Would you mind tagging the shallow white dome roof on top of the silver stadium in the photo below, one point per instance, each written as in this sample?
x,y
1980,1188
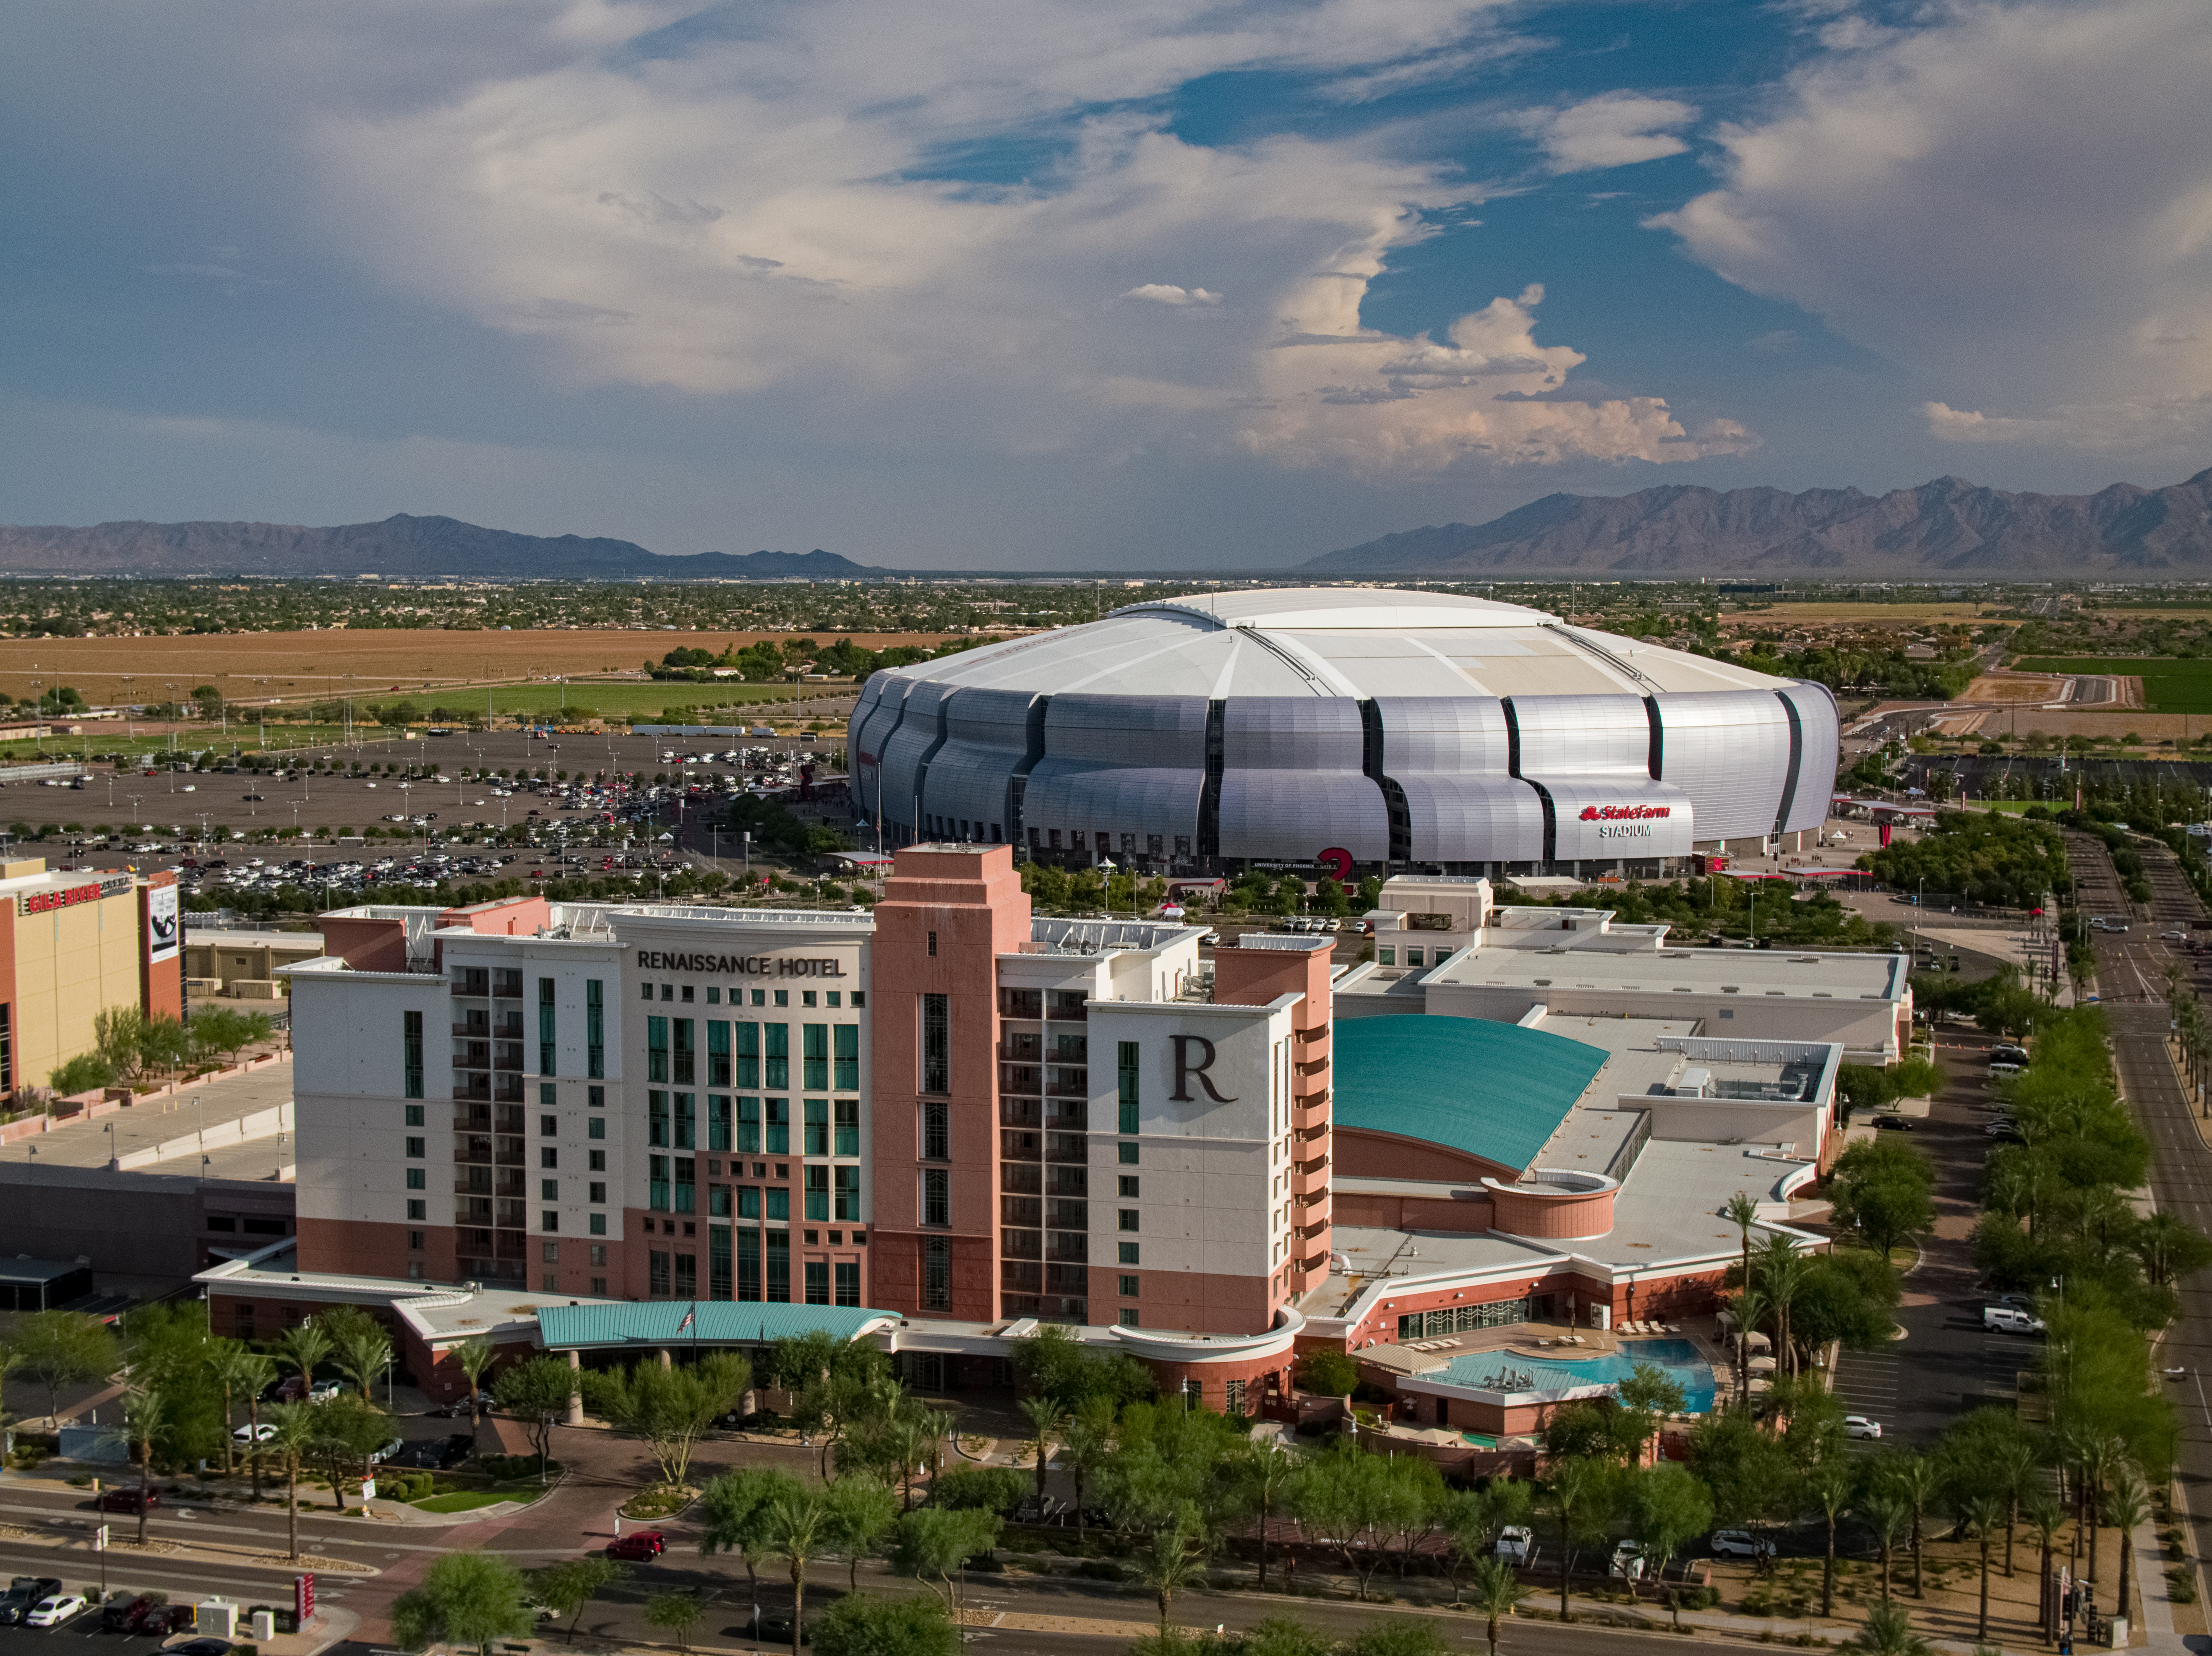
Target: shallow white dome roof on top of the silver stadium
x,y
1333,642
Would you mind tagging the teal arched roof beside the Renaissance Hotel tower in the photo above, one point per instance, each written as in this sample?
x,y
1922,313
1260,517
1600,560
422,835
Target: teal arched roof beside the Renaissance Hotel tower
x,y
1492,1091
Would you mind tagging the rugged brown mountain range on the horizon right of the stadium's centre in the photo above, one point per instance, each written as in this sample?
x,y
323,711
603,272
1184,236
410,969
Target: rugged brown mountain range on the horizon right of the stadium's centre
x,y
1945,525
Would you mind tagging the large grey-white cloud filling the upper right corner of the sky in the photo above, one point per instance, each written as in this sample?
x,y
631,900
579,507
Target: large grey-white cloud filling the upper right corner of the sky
x,y
2010,200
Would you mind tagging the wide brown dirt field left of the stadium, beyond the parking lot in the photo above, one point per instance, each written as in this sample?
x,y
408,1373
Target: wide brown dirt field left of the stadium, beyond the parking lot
x,y
251,667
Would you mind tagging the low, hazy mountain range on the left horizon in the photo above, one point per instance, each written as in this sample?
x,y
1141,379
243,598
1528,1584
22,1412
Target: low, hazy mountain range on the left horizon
x,y
395,547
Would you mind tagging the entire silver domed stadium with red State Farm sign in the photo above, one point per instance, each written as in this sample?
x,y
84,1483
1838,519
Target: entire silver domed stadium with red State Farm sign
x,y
1357,726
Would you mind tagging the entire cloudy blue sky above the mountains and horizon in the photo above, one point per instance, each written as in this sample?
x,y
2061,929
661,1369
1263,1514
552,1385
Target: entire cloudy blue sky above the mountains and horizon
x,y
1061,286
